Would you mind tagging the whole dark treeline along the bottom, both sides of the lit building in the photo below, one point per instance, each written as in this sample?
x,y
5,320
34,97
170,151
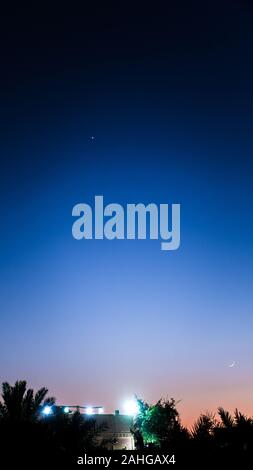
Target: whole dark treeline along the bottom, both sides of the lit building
x,y
27,436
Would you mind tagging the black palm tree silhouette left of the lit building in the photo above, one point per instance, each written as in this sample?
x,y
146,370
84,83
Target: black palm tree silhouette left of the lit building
x,y
57,437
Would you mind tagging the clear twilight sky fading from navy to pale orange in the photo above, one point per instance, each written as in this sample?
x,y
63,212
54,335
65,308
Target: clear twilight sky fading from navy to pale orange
x,y
168,95
